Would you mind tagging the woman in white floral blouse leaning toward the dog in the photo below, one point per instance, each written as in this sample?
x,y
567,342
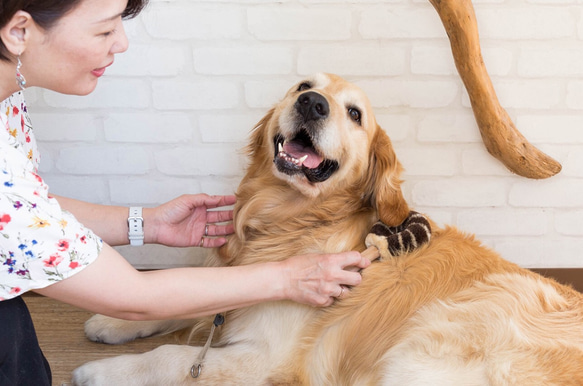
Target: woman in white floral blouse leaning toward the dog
x,y
60,247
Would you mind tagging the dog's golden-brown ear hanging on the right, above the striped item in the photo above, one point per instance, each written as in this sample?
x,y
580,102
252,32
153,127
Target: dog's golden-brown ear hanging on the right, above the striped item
x,y
383,181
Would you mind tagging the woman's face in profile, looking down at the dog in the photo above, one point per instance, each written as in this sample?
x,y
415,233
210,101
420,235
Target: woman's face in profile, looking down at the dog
x,y
71,56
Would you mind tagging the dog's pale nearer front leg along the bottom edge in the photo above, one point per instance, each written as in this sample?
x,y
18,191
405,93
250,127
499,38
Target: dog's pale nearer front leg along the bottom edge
x,y
239,364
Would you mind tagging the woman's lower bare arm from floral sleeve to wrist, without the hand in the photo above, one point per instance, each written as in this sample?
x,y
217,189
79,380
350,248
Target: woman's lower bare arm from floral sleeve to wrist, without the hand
x,y
112,287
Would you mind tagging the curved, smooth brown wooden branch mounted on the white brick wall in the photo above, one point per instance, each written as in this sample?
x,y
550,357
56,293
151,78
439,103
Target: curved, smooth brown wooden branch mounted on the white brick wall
x,y
502,139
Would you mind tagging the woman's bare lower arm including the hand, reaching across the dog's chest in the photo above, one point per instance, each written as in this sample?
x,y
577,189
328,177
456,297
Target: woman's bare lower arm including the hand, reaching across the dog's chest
x,y
112,287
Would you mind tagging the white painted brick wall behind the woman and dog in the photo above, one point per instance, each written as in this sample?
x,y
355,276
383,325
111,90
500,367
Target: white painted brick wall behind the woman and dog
x,y
173,113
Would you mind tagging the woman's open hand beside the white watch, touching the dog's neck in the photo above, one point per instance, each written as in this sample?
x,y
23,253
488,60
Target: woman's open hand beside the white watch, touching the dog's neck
x,y
187,221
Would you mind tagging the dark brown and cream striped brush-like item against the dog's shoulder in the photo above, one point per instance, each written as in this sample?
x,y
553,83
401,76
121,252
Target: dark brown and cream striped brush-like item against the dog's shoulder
x,y
414,232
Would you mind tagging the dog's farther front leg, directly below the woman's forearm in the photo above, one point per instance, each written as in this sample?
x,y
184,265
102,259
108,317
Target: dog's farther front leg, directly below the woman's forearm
x,y
104,329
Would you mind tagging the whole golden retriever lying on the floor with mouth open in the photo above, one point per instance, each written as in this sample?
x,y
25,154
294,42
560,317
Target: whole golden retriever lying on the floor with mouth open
x,y
450,312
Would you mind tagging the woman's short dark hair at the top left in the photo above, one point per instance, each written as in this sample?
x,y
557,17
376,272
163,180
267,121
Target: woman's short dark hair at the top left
x,y
47,12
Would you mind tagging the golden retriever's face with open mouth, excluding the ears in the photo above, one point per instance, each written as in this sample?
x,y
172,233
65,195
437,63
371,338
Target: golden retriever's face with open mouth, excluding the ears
x,y
321,129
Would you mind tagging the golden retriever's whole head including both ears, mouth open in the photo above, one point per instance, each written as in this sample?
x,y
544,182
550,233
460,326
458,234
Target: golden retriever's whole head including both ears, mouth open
x,y
323,138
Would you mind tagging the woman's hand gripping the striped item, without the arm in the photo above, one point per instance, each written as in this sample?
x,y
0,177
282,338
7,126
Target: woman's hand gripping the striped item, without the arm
x,y
320,279
